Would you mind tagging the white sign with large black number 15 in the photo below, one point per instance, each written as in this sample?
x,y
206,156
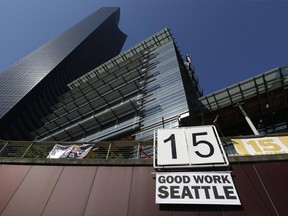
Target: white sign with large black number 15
x,y
193,146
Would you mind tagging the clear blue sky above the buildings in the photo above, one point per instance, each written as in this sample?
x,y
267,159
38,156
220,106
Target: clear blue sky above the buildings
x,y
228,41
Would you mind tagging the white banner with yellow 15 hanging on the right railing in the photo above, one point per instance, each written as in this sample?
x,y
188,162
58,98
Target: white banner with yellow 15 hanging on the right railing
x,y
261,146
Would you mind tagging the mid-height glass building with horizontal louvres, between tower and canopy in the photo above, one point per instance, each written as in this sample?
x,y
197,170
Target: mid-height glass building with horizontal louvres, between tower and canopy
x,y
144,88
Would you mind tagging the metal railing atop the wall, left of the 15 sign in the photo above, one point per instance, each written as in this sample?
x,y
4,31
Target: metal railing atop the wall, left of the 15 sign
x,y
100,150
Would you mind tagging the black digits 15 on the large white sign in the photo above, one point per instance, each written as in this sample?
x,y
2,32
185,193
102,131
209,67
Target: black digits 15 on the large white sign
x,y
194,142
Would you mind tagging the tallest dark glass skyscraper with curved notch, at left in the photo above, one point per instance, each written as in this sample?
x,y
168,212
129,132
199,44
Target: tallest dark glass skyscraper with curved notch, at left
x,y
32,85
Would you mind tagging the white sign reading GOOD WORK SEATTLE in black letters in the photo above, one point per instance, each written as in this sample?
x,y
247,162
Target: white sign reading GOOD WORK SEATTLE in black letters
x,y
196,188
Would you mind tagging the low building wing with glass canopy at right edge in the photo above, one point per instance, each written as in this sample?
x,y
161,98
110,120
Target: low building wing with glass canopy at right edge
x,y
263,97
